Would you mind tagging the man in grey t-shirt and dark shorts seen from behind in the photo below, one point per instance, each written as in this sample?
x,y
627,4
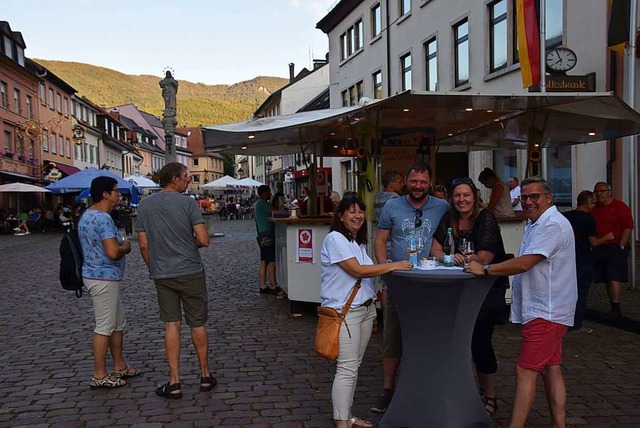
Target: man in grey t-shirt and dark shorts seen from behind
x,y
170,231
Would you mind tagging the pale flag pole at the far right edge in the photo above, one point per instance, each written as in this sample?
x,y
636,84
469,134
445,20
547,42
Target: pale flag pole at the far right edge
x,y
633,167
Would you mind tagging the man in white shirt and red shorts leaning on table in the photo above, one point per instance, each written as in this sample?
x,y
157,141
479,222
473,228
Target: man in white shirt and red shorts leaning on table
x,y
544,299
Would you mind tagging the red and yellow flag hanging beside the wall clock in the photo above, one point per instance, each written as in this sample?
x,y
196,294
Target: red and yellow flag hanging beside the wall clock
x,y
528,42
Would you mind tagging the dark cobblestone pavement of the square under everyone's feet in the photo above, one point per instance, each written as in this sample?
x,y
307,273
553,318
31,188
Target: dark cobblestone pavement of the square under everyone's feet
x,y
268,373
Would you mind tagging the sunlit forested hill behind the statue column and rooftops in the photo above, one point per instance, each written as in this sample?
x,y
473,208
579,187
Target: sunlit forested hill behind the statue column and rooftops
x,y
198,104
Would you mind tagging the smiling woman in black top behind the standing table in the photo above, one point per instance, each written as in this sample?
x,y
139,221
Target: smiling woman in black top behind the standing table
x,y
468,220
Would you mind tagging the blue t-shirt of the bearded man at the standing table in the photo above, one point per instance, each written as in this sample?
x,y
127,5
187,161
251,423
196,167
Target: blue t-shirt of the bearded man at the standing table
x,y
399,218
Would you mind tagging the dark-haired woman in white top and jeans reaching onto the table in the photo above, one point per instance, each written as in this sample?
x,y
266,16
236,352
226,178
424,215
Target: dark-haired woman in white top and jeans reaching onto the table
x,y
344,261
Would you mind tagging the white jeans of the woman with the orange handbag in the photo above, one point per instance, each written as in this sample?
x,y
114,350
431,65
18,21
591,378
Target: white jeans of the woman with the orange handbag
x,y
360,323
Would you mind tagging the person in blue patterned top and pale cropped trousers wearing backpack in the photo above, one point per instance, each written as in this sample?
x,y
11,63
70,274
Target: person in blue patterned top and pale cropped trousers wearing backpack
x,y
102,271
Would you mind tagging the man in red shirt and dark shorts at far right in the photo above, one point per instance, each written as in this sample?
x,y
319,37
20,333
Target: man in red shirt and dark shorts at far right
x,y
610,259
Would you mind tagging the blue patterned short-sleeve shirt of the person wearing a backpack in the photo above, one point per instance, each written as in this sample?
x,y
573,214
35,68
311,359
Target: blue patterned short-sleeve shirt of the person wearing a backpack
x,y
94,227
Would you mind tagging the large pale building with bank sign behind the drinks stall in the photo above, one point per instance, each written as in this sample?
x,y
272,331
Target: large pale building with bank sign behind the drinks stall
x,y
461,45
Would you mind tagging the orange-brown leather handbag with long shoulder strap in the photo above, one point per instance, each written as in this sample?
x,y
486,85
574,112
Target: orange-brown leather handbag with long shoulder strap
x,y
329,323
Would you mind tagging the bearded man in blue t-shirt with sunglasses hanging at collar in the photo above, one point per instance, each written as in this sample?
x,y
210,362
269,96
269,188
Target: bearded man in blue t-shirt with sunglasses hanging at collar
x,y
414,214
